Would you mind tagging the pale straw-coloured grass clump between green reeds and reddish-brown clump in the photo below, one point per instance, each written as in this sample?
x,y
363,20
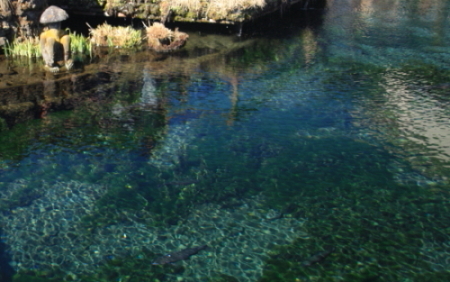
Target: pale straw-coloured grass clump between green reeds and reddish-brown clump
x,y
125,37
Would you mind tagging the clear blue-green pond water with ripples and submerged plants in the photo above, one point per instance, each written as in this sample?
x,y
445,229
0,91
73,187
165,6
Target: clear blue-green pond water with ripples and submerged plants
x,y
314,150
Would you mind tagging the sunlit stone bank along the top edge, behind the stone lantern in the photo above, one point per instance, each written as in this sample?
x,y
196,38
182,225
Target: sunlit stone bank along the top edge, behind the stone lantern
x,y
20,18
